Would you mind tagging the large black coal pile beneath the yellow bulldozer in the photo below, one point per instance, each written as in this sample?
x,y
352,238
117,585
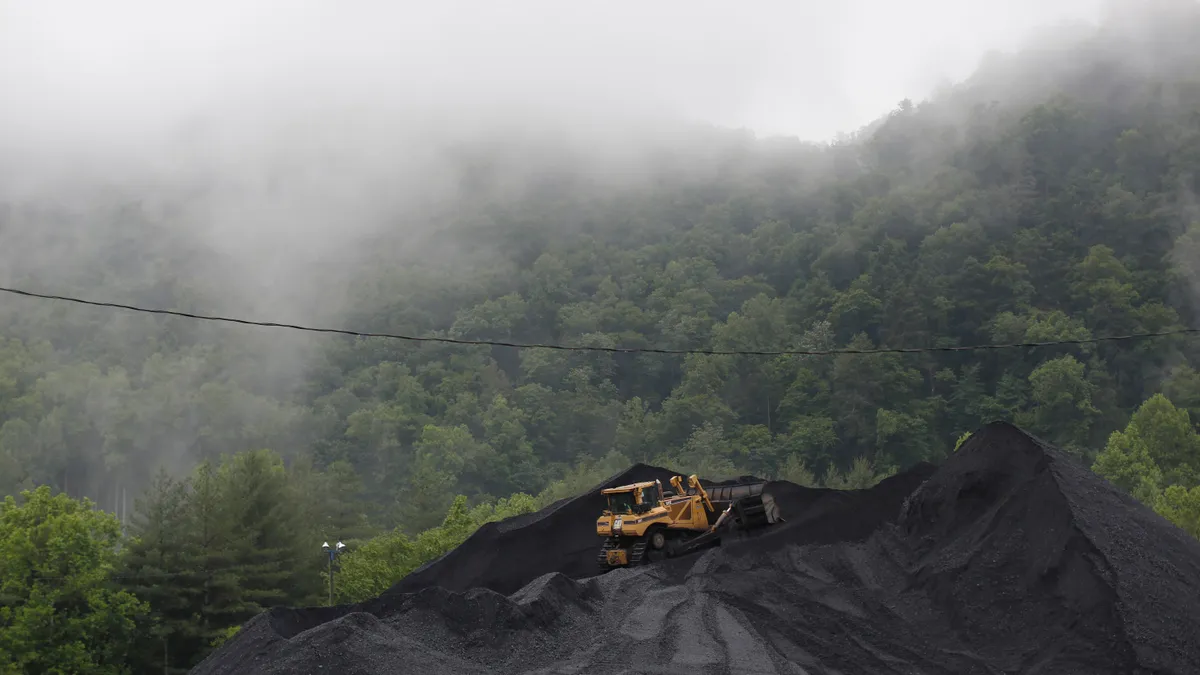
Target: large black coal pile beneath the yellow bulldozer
x,y
1009,559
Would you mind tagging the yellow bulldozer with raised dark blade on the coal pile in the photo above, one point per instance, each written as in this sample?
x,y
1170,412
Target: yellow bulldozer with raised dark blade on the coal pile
x,y
645,524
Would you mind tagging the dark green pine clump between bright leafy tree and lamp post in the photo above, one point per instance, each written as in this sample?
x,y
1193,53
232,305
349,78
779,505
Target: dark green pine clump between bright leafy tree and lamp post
x,y
236,537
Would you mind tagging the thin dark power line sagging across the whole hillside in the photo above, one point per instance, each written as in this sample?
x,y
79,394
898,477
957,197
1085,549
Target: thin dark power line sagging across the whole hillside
x,y
610,350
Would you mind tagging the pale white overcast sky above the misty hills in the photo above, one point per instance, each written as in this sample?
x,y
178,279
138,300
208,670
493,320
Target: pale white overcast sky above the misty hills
x,y
805,68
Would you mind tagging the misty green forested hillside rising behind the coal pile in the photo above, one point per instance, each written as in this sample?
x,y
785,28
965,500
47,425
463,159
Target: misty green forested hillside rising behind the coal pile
x,y
1051,198
